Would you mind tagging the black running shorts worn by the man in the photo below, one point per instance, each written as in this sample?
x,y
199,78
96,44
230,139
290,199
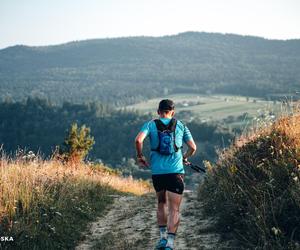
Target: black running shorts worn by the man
x,y
170,182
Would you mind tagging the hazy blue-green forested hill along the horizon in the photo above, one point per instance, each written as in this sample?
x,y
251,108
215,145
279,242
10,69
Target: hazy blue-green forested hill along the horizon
x,y
126,70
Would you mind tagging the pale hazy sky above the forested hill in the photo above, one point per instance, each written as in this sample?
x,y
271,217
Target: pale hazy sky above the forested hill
x,y
43,22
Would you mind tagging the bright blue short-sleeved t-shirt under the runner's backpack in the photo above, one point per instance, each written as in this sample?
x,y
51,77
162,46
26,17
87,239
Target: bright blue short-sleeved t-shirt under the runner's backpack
x,y
166,164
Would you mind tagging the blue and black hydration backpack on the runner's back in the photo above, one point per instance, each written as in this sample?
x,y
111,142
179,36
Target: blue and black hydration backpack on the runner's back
x,y
166,136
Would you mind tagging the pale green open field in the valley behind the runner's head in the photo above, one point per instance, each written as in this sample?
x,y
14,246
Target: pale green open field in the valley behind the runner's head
x,y
214,107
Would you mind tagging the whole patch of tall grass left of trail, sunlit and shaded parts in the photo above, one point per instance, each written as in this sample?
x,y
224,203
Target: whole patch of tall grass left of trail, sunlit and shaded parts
x,y
47,204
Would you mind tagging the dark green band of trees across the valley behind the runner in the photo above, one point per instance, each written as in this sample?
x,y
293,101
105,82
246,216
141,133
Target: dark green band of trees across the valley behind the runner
x,y
38,125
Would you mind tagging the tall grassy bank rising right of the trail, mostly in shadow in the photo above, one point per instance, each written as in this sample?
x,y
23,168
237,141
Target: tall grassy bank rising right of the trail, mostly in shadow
x,y
254,189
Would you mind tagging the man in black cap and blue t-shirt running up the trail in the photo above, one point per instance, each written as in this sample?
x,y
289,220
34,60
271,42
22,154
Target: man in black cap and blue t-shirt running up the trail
x,y
166,160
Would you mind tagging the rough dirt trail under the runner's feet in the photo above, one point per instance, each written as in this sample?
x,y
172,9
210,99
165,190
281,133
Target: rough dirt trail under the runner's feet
x,y
131,224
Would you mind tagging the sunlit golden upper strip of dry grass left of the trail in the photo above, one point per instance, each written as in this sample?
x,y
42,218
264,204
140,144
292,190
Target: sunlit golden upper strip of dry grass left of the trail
x,y
28,181
